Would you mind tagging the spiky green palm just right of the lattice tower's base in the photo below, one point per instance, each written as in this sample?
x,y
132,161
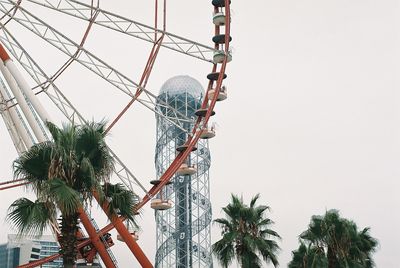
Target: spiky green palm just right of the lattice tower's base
x,y
246,235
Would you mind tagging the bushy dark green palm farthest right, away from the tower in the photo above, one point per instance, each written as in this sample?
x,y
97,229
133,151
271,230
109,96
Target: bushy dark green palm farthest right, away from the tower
x,y
339,240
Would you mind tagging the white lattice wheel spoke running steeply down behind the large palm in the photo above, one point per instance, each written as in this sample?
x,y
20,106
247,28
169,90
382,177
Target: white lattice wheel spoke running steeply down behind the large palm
x,y
46,84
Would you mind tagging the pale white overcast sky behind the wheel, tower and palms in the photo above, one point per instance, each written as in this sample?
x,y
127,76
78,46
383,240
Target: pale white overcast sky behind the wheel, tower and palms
x,y
311,122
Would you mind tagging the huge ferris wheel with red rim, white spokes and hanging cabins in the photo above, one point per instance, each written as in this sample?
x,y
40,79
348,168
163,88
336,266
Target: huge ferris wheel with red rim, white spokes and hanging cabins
x,y
24,115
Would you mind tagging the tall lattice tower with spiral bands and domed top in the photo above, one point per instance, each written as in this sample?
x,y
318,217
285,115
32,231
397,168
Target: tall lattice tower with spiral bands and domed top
x,y
183,231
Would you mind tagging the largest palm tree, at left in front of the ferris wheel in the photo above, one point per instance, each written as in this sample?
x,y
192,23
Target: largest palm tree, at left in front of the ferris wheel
x,y
64,173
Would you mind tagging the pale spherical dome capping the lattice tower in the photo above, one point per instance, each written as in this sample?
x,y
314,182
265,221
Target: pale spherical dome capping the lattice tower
x,y
182,84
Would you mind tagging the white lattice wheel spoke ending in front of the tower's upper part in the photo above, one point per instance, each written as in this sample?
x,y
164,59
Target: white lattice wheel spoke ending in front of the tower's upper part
x,y
92,62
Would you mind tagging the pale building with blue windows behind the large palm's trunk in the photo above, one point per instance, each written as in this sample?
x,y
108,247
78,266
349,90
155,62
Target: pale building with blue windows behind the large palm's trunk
x,y
21,250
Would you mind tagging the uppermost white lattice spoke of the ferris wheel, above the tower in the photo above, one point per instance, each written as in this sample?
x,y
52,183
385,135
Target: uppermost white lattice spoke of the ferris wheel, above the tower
x,y
129,27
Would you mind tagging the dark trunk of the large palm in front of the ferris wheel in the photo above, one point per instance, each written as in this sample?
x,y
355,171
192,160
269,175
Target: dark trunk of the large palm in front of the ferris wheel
x,y
68,241
